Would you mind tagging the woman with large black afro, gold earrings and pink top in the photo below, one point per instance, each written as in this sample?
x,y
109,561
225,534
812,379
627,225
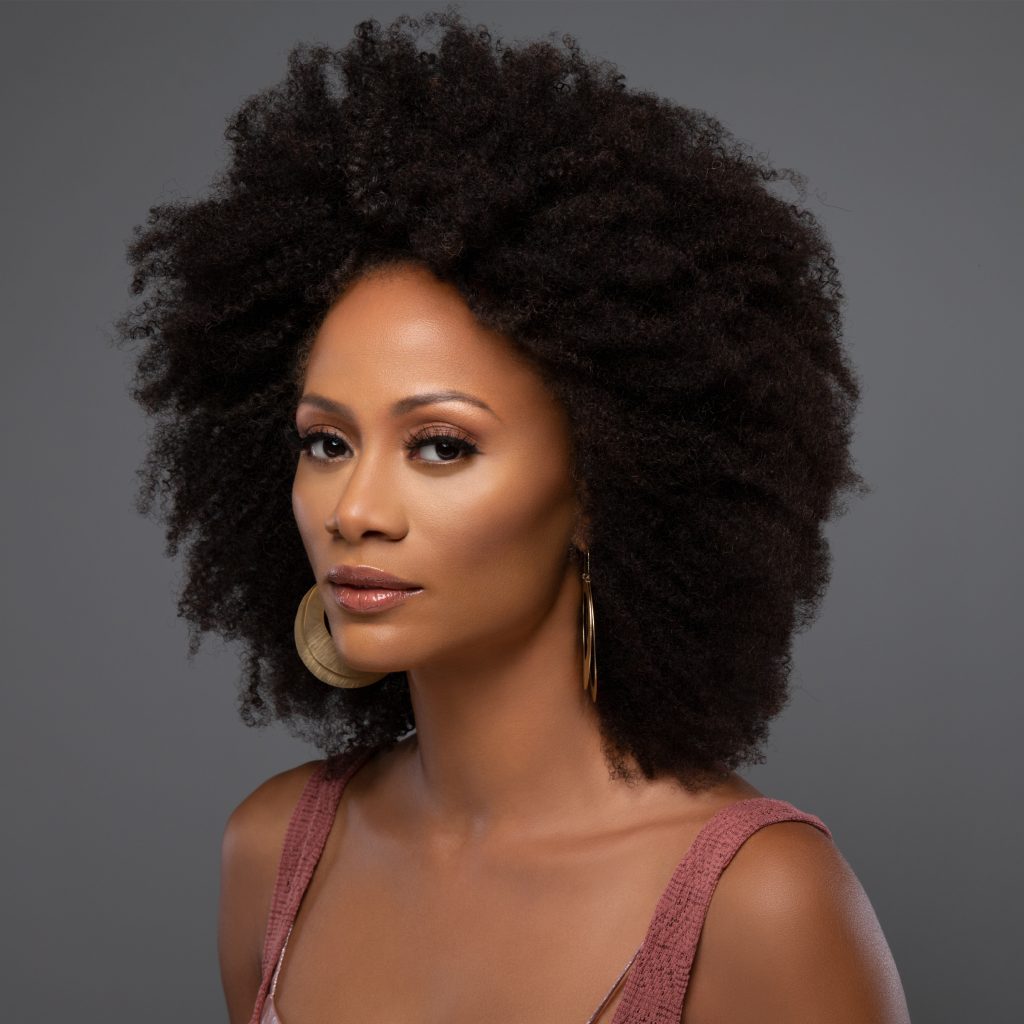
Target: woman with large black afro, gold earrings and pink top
x,y
553,379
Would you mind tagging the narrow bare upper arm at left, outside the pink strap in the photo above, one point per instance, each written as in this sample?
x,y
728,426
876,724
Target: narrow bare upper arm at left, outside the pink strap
x,y
250,855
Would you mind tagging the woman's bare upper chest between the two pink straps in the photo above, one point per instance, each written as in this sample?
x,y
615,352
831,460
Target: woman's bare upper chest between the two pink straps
x,y
540,940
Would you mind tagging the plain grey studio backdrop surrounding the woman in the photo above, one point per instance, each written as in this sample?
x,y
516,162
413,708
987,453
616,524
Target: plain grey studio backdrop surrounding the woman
x,y
122,761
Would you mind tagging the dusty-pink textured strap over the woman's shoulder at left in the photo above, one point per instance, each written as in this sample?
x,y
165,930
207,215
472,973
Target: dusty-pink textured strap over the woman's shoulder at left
x,y
305,841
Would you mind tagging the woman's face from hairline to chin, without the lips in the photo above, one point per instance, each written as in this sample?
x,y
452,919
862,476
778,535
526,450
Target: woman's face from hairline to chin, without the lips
x,y
487,533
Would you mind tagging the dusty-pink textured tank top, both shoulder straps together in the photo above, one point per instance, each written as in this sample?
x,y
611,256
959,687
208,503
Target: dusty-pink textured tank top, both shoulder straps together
x,y
657,987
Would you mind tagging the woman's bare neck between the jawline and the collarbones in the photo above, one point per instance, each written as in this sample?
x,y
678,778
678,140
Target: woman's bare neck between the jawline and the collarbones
x,y
507,741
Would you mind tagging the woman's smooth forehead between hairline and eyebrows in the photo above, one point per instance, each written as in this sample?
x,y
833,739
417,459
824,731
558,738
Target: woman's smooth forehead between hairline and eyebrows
x,y
402,331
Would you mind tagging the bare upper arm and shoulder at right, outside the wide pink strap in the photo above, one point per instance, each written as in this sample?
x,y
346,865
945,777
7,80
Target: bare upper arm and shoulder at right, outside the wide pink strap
x,y
791,937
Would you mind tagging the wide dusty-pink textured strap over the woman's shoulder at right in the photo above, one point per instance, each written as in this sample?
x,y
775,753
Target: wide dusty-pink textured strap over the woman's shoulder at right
x,y
657,985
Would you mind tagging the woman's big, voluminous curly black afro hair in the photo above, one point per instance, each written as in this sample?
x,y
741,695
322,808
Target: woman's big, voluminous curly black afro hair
x,y
687,315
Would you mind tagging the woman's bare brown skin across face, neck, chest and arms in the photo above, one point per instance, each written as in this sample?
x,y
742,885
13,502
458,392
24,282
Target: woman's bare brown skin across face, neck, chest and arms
x,y
488,868
